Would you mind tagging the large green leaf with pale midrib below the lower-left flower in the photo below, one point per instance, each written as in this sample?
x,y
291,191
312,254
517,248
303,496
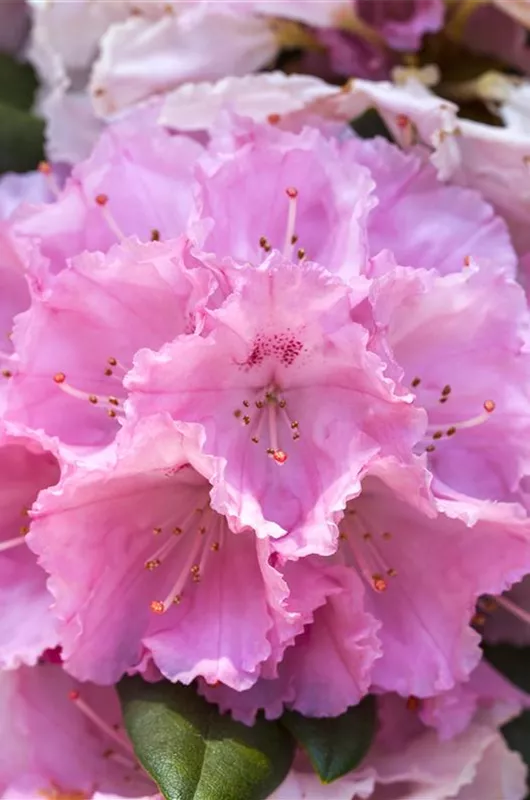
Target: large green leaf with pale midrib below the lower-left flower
x,y
195,753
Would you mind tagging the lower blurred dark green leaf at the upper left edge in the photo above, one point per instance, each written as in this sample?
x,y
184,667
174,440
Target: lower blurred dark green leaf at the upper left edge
x,y
21,140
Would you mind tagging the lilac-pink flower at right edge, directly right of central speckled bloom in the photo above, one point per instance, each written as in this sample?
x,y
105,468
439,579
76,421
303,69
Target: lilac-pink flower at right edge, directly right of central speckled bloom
x,y
467,417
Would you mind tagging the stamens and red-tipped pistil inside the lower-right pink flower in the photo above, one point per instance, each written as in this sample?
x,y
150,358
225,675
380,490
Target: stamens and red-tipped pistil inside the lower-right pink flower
x,y
361,548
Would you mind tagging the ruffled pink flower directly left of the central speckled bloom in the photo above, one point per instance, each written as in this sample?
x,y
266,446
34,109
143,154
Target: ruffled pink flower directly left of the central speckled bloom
x,y
108,306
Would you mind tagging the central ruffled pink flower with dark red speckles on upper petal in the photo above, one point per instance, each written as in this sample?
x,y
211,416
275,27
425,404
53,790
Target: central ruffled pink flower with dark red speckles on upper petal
x,y
283,379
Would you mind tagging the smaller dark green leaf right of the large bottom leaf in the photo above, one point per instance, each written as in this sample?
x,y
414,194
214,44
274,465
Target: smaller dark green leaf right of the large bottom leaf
x,y
335,745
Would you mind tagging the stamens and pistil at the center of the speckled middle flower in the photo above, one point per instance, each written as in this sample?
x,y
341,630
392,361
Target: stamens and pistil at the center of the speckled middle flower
x,y
265,416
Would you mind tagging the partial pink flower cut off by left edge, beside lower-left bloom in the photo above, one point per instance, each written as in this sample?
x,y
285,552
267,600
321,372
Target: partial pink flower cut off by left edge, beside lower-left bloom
x,y
27,626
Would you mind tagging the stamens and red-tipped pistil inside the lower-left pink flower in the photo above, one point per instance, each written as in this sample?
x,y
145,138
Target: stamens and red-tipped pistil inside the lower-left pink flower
x,y
203,530
